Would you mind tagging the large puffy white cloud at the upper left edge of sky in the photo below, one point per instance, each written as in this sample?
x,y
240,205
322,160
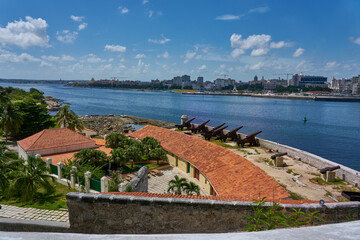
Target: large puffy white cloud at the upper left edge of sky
x,y
31,32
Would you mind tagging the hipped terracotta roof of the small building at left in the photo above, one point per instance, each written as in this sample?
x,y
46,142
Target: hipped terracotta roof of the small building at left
x,y
52,138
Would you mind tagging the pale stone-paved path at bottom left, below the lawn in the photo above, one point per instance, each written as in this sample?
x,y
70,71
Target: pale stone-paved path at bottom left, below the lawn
x,y
7,211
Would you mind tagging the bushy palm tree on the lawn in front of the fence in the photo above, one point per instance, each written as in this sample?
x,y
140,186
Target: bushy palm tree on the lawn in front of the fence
x,y
29,178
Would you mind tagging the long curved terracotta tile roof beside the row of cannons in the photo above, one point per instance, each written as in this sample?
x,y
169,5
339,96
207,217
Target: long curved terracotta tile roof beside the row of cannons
x,y
230,174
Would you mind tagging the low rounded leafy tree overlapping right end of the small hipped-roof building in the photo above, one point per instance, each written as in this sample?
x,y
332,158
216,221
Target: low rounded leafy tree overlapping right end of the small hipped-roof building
x,y
91,156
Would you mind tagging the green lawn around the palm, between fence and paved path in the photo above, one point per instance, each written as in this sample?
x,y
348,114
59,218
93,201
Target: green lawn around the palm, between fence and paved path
x,y
52,202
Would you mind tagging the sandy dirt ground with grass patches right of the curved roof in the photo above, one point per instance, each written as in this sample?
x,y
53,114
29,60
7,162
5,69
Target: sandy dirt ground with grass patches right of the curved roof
x,y
298,178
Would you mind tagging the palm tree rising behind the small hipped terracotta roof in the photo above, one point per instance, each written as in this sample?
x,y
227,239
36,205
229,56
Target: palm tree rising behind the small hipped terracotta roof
x,y
67,118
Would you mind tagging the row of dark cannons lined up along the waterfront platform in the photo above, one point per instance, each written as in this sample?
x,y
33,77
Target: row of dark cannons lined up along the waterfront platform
x,y
217,132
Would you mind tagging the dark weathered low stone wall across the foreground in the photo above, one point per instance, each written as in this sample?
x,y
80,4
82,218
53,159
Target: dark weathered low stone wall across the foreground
x,y
105,213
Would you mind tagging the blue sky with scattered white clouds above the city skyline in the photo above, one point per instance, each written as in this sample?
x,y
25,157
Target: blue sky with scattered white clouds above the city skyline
x,y
149,39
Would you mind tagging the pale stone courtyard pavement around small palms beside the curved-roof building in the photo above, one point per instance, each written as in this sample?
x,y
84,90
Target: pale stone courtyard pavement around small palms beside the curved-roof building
x,y
160,184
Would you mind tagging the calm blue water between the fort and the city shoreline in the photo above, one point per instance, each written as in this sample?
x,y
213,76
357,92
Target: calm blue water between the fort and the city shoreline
x,y
332,130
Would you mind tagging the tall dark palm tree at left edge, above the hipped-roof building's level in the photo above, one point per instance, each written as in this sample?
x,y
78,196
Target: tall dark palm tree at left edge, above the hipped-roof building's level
x,y
10,118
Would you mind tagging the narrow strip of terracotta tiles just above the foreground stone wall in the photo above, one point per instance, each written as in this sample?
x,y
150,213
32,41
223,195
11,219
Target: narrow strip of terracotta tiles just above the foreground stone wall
x,y
217,198
